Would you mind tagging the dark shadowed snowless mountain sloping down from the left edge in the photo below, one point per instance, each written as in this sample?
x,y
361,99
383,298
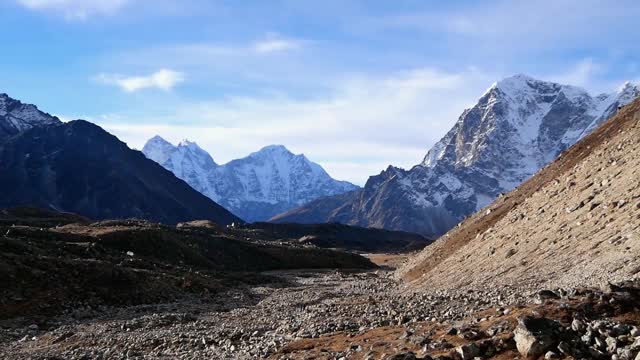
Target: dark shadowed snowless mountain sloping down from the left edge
x,y
79,167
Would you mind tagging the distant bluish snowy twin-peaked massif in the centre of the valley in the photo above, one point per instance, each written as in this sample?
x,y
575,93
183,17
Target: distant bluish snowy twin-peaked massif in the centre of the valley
x,y
257,187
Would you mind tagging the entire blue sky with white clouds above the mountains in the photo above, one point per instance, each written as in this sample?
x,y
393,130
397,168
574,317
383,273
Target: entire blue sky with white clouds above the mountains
x,y
354,85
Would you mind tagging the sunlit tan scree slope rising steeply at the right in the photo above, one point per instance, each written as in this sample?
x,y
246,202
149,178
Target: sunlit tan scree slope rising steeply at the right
x,y
575,223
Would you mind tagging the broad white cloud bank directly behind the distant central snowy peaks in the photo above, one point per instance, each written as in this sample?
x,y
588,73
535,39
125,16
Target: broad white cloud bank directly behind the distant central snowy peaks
x,y
365,124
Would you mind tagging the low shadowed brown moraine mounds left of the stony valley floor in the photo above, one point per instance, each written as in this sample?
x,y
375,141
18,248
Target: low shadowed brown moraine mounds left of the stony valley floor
x,y
52,262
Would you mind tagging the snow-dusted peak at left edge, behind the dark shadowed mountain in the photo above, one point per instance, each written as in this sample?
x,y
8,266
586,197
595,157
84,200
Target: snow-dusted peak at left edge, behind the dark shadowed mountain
x,y
16,117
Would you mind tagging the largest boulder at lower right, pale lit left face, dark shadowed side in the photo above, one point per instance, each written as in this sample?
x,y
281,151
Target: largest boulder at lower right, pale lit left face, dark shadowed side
x,y
534,336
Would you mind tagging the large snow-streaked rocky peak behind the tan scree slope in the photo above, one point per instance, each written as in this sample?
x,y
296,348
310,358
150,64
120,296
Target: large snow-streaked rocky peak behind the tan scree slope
x,y
518,126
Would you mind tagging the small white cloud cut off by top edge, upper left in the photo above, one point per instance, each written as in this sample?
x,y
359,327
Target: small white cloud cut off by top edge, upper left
x,y
76,9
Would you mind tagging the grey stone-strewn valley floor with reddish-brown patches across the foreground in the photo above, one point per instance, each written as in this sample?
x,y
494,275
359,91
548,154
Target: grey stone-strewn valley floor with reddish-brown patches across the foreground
x,y
340,314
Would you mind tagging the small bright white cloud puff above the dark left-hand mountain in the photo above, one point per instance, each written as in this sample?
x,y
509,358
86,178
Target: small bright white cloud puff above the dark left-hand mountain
x,y
163,79
